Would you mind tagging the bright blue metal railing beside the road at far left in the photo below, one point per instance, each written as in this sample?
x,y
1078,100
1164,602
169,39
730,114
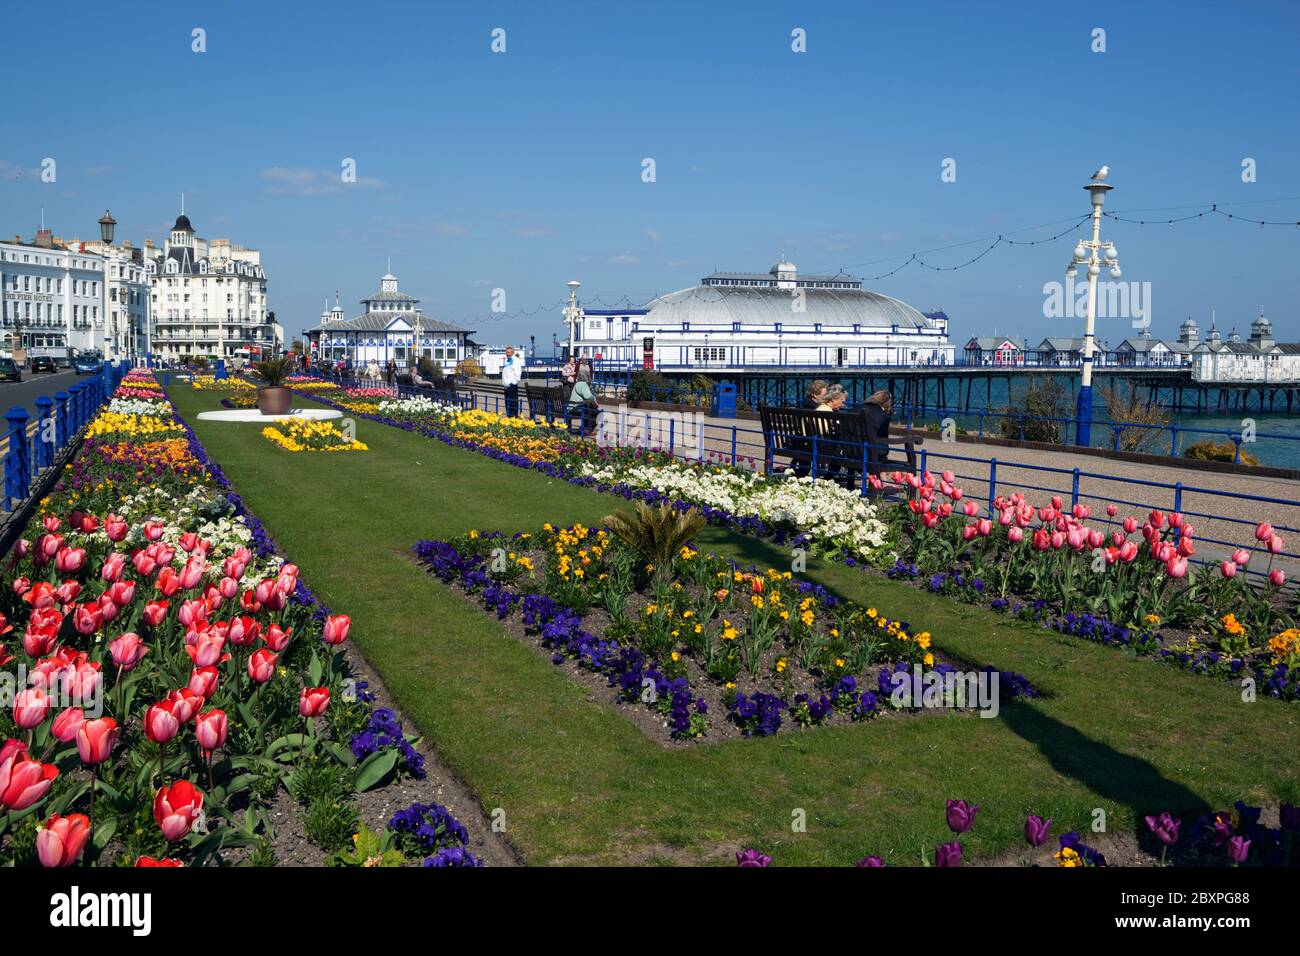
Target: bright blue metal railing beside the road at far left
x,y
33,444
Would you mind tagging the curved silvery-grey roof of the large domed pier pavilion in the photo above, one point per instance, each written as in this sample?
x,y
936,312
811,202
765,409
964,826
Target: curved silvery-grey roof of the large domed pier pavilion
x,y
766,306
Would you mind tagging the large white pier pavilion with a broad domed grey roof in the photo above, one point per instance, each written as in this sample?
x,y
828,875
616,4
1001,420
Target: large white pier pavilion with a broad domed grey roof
x,y
774,319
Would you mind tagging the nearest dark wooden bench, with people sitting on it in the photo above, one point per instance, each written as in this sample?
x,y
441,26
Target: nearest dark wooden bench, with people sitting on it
x,y
833,445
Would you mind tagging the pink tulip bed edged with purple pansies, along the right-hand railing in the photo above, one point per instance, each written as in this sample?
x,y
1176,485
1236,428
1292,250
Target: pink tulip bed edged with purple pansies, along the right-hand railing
x,y
1093,579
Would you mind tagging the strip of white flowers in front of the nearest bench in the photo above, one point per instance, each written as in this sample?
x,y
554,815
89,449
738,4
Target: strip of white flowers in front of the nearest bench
x,y
833,517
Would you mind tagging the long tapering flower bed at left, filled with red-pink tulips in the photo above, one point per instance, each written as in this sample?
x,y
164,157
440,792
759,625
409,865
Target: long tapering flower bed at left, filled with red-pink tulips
x,y
175,678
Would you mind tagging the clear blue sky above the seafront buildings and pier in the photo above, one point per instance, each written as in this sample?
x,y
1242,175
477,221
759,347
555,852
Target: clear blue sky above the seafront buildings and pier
x,y
523,170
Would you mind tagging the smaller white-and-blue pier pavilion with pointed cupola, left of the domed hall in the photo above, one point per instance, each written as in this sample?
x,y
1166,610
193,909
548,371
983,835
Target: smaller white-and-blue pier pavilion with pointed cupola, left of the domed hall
x,y
387,331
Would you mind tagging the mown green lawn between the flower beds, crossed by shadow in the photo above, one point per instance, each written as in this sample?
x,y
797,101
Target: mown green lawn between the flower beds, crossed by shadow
x,y
579,784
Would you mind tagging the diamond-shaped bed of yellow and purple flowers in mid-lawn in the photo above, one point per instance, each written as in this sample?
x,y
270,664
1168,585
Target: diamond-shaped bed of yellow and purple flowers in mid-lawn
x,y
708,648
